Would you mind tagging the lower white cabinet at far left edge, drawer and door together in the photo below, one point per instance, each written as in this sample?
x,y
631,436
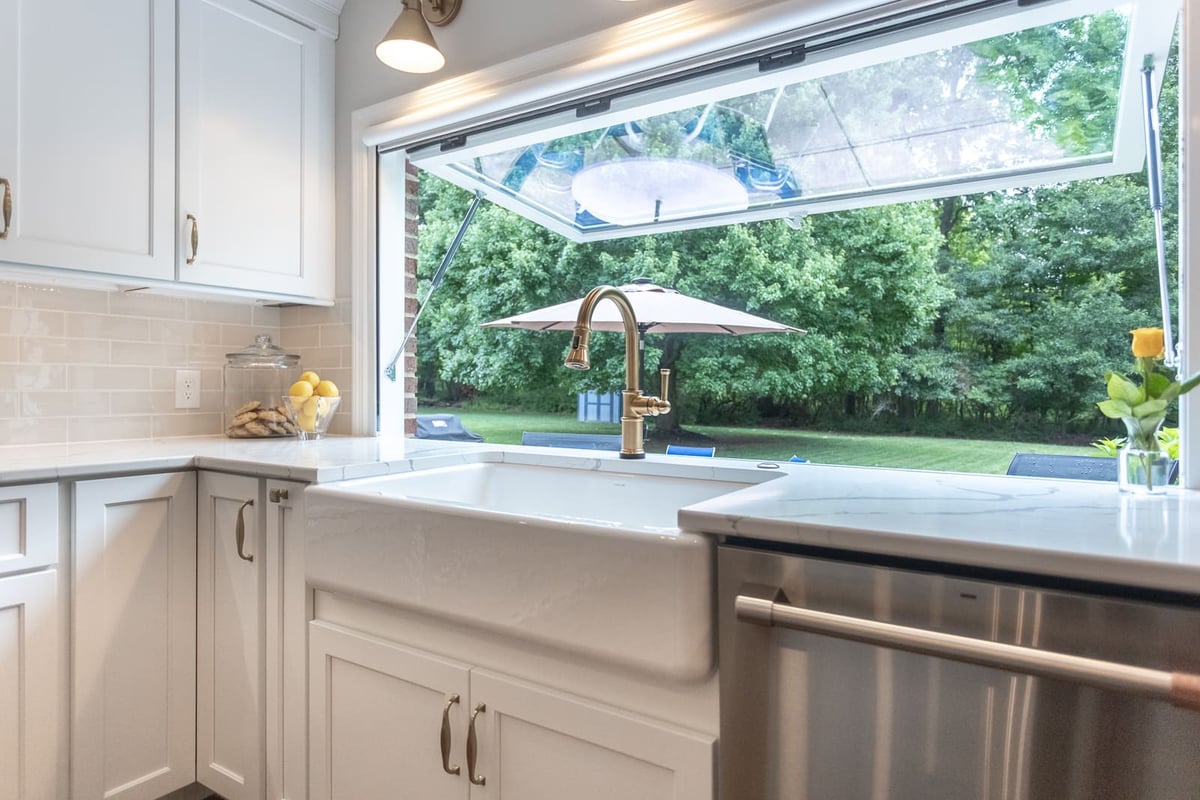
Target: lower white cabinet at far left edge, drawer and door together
x,y
29,642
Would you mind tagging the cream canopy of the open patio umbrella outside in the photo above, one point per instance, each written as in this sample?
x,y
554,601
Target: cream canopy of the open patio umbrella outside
x,y
658,310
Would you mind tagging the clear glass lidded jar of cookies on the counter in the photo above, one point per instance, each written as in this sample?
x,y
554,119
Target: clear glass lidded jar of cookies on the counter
x,y
256,380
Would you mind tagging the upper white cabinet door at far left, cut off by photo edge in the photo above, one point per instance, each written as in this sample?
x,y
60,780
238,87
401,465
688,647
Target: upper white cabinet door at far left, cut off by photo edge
x,y
88,135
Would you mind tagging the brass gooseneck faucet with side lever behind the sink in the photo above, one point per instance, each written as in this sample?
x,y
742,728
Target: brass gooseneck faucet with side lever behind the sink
x,y
634,406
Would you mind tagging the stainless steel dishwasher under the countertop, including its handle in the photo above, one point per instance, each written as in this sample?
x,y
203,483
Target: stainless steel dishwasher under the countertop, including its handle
x,y
811,712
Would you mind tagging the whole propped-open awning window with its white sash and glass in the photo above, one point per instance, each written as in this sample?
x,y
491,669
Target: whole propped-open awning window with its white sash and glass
x,y
981,99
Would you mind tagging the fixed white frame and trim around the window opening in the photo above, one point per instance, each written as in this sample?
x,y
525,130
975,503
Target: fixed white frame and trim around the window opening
x,y
685,34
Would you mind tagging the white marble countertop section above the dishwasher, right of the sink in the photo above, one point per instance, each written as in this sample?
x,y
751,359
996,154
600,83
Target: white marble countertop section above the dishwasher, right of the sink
x,y
1066,530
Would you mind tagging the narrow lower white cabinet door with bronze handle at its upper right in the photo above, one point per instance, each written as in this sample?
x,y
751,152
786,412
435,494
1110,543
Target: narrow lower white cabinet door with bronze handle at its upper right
x,y
230,748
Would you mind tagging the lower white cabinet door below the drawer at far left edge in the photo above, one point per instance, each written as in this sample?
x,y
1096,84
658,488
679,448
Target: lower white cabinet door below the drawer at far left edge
x,y
29,697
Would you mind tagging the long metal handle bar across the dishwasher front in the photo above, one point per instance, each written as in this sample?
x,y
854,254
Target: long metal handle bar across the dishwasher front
x,y
769,606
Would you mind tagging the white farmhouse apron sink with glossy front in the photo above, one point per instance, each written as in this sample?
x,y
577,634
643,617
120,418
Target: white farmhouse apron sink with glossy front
x,y
578,554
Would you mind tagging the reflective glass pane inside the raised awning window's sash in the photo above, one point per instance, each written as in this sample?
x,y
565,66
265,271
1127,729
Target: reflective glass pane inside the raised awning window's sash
x,y
1006,106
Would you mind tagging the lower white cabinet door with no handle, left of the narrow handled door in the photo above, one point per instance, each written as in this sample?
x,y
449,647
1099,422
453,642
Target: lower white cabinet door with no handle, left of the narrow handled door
x,y
134,706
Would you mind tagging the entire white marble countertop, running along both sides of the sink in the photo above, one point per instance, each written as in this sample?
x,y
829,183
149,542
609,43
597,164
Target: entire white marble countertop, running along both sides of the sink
x,y
1070,530
